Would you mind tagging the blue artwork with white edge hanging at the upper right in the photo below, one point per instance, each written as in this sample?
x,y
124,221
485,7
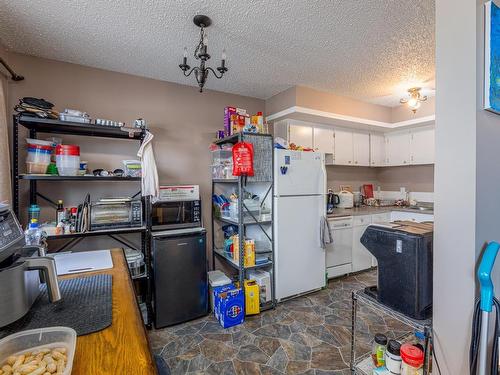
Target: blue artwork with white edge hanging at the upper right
x,y
492,57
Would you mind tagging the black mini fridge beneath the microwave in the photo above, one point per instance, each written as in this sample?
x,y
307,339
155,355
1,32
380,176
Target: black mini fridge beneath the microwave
x,y
180,276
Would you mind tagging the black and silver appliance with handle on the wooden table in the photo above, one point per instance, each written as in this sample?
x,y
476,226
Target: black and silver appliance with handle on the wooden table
x,y
20,269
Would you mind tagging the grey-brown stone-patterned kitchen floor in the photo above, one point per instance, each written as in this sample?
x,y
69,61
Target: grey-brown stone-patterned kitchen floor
x,y
307,335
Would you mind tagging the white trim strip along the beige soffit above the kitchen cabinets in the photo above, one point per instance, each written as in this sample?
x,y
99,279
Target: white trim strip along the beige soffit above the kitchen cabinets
x,y
356,120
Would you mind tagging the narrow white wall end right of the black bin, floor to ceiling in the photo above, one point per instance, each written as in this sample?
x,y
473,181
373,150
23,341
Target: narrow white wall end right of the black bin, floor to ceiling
x,y
455,182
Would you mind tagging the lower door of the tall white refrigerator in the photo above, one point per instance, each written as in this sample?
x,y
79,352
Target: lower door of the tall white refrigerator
x,y
300,260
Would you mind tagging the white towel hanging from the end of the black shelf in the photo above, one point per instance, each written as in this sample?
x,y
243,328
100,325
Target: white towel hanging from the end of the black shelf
x,y
150,184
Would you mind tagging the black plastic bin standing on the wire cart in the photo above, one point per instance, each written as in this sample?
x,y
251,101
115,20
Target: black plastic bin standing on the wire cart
x,y
404,256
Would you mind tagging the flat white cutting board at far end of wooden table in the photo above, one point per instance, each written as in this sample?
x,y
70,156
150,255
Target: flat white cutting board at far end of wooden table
x,y
85,261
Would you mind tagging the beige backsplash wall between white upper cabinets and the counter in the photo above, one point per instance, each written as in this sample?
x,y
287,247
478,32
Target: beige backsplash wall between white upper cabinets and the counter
x,y
418,178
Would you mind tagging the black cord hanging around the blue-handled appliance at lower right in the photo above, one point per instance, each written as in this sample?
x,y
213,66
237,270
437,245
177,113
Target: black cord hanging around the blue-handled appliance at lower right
x,y
476,333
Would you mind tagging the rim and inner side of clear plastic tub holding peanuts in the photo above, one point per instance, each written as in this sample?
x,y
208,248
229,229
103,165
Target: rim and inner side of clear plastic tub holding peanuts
x,y
53,337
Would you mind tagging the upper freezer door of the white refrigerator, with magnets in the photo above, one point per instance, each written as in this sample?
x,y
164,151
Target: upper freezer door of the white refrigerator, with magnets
x,y
299,173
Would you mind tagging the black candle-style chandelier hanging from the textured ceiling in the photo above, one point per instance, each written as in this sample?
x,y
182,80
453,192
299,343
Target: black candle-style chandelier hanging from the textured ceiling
x,y
201,54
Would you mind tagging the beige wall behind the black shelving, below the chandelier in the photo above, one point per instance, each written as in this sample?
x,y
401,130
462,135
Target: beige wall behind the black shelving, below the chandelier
x,y
182,120
